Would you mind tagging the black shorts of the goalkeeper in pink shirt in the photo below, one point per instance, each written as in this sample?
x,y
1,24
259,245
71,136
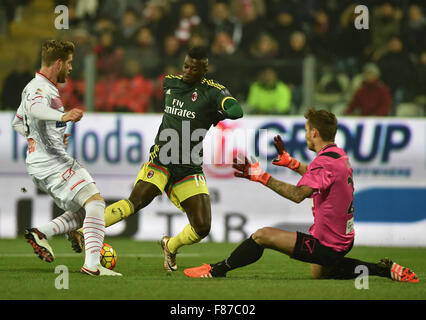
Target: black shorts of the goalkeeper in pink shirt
x,y
309,249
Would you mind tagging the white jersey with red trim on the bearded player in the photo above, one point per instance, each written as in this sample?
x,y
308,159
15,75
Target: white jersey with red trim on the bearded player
x,y
46,149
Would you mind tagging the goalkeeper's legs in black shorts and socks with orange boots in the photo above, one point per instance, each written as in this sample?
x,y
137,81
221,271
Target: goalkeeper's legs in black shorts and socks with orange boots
x,y
325,263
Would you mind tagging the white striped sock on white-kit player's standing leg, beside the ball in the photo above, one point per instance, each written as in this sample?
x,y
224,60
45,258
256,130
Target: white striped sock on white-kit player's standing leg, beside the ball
x,y
94,231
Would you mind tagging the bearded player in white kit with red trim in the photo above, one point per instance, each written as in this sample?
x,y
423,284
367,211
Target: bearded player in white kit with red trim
x,y
42,120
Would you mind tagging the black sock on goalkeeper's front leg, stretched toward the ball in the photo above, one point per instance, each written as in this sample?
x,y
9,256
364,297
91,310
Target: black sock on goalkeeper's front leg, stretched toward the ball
x,y
246,253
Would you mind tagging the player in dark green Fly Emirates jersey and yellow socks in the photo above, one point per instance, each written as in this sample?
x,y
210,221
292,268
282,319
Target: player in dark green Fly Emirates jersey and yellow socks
x,y
192,105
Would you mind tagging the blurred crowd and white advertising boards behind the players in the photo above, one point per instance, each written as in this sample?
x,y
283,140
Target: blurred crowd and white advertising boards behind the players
x,y
296,54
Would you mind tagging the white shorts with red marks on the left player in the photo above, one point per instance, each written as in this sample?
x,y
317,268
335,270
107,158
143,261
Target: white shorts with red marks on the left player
x,y
64,186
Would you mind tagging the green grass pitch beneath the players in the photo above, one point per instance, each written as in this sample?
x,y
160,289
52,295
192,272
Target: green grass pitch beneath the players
x,y
275,277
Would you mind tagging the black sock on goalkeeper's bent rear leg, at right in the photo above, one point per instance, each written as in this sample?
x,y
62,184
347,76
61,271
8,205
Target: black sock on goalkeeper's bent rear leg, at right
x,y
345,269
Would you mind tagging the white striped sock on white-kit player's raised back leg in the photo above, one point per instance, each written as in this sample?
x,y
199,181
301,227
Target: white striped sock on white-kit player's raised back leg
x,y
66,222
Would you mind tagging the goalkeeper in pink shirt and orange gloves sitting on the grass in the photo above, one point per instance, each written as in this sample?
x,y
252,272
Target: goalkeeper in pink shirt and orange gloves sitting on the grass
x,y
328,181
